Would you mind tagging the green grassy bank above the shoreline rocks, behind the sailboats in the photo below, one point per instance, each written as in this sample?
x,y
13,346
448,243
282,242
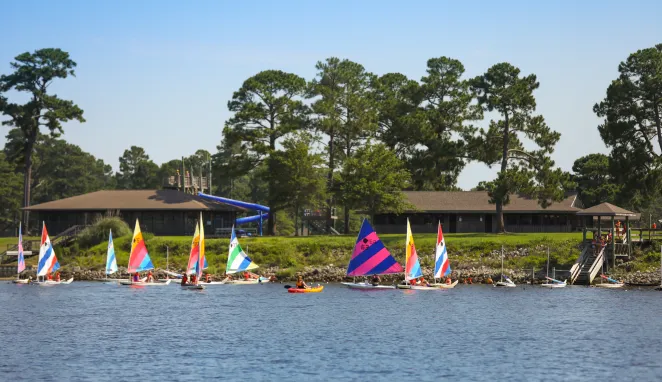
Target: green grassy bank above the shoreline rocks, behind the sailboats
x,y
294,253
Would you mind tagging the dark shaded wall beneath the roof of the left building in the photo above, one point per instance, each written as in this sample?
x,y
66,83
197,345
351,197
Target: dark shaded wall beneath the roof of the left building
x,y
160,223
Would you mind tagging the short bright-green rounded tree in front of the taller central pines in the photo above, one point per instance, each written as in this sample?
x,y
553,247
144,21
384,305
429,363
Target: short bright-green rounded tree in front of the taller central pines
x,y
372,180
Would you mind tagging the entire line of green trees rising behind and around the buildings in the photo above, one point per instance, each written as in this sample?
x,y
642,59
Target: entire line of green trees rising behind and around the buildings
x,y
350,140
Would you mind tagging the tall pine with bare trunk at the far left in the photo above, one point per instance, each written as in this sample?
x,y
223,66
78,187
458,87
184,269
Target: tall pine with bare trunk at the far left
x,y
33,74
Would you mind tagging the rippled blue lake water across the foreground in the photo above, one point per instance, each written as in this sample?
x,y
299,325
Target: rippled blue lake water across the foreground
x,y
97,332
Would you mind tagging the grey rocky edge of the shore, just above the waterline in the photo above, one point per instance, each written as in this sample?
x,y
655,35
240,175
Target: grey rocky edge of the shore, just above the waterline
x,y
332,273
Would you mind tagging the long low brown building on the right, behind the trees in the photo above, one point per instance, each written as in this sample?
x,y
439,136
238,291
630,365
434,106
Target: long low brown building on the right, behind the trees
x,y
471,211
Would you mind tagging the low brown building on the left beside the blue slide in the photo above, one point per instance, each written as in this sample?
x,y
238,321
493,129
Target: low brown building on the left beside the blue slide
x,y
161,212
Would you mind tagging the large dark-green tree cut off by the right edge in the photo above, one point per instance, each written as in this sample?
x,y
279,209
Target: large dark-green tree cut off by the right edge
x,y
632,126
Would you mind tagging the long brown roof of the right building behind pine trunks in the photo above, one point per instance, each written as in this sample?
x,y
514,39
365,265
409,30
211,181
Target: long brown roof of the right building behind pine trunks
x,y
478,201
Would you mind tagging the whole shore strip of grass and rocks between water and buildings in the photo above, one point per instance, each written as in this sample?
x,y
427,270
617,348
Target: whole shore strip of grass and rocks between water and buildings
x,y
325,258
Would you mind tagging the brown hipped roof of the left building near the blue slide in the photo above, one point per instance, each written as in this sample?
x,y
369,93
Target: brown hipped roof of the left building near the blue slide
x,y
133,200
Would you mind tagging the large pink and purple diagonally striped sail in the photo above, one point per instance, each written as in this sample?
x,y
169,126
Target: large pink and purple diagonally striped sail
x,y
370,256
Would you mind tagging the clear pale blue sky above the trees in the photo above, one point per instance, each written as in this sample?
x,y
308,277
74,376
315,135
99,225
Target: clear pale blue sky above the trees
x,y
159,74
